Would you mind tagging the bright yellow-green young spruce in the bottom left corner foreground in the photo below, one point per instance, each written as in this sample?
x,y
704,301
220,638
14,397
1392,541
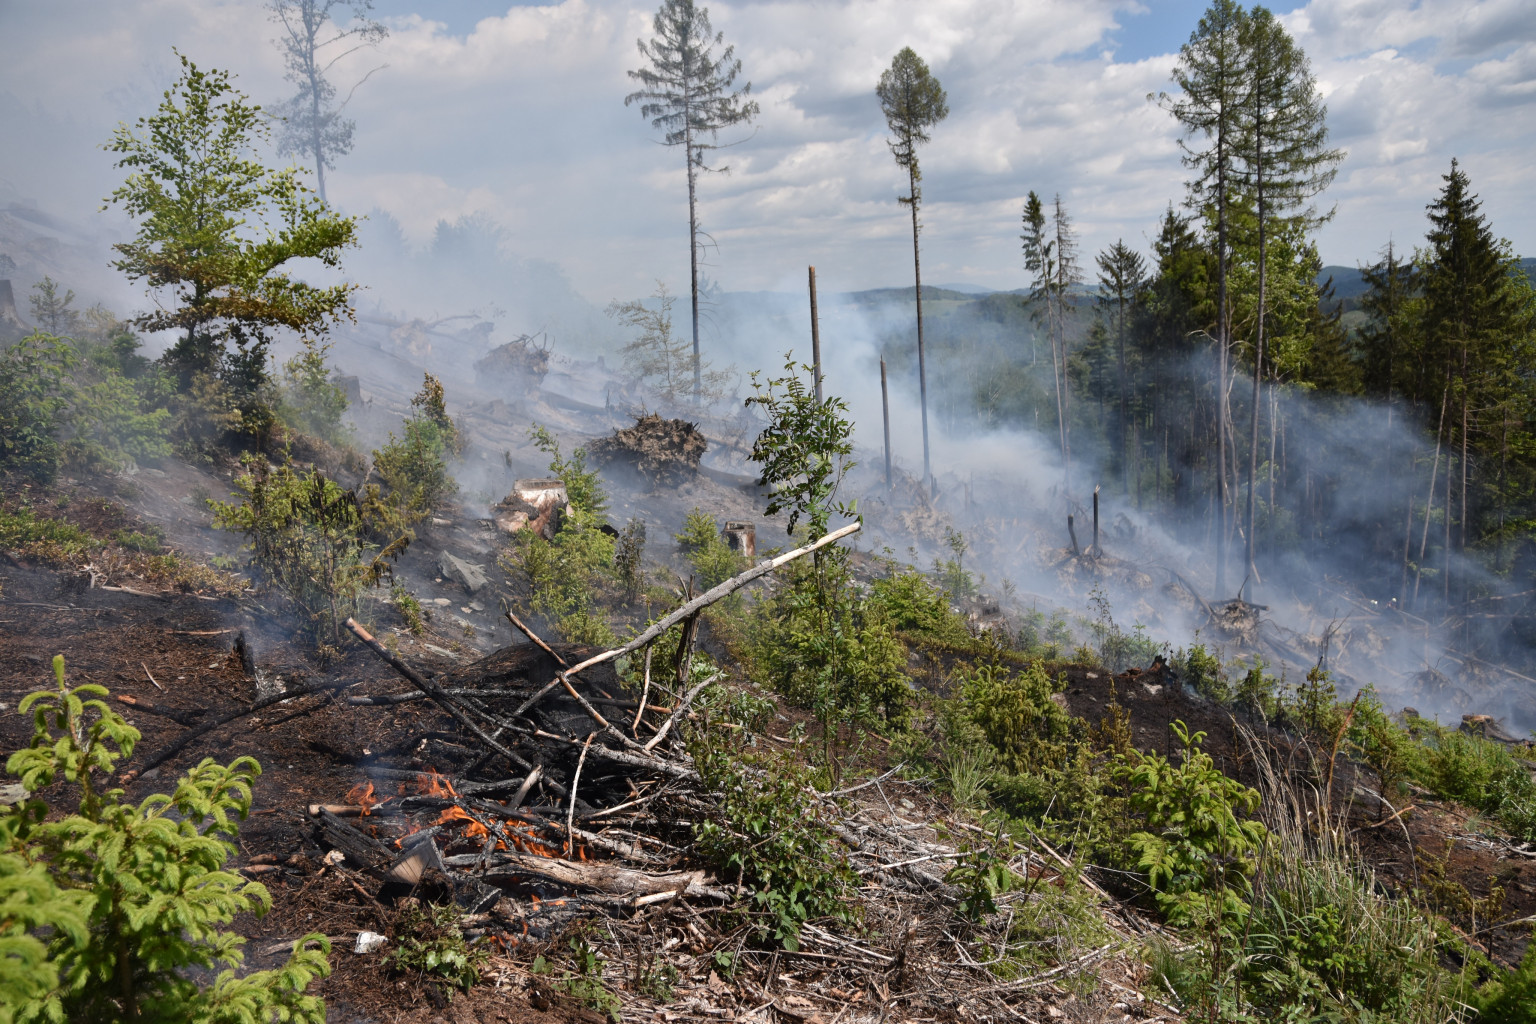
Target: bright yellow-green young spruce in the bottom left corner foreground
x,y
127,902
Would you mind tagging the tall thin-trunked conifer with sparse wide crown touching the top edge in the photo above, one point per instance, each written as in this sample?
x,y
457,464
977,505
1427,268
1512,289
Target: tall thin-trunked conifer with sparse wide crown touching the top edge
x,y
687,93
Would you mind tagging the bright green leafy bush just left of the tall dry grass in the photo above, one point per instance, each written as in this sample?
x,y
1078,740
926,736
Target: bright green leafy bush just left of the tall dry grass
x,y
1199,853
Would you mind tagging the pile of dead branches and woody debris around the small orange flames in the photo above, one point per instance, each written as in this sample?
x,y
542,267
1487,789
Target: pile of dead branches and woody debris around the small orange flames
x,y
564,807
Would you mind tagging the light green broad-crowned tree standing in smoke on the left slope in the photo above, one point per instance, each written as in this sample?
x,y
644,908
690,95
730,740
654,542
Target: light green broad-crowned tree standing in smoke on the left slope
x,y
216,230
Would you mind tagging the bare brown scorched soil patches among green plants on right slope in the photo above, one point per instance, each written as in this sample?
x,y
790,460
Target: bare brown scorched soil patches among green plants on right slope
x,y
1452,847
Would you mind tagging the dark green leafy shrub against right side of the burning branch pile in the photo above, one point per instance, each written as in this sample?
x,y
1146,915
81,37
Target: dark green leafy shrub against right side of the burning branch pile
x,y
769,834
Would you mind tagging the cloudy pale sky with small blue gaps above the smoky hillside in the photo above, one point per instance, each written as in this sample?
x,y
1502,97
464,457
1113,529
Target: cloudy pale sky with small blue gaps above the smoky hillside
x,y
517,113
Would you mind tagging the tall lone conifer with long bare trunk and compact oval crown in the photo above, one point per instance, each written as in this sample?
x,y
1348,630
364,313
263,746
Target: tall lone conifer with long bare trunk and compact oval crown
x,y
913,104
